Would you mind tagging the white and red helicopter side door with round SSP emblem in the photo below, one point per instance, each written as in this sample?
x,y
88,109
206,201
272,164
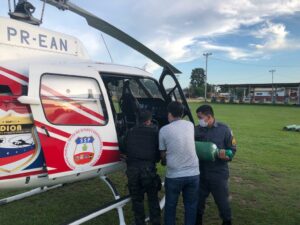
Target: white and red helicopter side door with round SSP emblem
x,y
73,117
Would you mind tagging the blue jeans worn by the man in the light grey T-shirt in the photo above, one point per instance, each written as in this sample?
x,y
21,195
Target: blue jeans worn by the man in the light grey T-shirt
x,y
189,188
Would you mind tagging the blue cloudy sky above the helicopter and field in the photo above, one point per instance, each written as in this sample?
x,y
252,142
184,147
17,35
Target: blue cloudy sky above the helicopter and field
x,y
247,38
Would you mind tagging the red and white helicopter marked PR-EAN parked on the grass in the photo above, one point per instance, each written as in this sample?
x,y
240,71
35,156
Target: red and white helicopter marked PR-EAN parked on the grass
x,y
61,114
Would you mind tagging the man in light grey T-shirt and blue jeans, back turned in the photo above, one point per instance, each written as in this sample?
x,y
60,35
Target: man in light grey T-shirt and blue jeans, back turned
x,y
177,146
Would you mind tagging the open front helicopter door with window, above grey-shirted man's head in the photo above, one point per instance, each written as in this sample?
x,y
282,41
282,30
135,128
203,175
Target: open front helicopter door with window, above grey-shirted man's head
x,y
173,91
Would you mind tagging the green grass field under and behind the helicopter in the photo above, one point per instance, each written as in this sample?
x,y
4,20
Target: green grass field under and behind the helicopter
x,y
264,182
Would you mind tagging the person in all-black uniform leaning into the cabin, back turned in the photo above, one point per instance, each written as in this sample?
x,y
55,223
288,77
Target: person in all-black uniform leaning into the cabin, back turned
x,y
141,150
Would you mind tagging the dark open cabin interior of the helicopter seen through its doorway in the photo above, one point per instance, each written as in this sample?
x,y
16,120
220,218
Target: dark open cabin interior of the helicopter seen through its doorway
x,y
130,95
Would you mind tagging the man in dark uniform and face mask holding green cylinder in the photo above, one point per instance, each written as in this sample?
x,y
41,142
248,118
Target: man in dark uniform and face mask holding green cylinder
x,y
214,174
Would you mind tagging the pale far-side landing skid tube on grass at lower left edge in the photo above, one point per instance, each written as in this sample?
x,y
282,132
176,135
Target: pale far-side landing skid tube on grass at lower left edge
x,y
26,194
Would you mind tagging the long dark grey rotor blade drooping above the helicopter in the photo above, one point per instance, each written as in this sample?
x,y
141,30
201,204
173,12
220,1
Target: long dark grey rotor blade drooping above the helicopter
x,y
114,32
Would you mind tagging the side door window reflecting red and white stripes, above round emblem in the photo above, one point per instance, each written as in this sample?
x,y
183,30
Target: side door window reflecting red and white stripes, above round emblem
x,y
70,100
